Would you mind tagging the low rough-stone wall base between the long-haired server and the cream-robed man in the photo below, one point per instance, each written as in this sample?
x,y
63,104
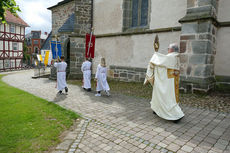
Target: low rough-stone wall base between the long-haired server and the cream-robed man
x,y
127,74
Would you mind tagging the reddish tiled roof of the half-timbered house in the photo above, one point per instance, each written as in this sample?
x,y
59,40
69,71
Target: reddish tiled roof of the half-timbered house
x,y
10,18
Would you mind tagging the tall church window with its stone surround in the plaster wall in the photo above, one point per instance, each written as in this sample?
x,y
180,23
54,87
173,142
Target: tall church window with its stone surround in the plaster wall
x,y
136,14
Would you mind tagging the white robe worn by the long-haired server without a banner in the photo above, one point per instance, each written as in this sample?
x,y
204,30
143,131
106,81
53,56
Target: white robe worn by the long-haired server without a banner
x,y
101,76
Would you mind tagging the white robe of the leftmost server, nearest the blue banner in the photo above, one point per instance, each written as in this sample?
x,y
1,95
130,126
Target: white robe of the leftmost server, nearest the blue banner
x,y
61,75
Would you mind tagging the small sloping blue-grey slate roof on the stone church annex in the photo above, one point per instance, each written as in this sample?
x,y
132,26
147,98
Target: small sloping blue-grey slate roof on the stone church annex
x,y
68,26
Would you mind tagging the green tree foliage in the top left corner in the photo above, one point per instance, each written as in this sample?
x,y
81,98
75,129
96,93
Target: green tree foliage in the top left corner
x,y
9,5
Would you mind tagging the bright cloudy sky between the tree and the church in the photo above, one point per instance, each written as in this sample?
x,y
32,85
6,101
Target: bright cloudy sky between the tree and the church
x,y
35,13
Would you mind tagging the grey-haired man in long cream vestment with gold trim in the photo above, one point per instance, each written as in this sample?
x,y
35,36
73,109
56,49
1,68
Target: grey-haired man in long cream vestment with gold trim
x,y
163,75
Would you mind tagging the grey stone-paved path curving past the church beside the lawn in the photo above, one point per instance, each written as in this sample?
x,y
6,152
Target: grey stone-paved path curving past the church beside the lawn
x,y
126,124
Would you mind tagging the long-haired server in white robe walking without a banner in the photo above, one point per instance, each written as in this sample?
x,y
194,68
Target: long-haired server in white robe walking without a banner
x,y
101,77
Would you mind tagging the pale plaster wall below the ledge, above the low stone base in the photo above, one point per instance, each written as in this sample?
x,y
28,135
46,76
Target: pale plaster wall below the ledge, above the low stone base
x,y
131,51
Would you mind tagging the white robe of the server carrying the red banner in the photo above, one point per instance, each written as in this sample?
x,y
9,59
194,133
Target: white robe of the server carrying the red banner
x,y
86,69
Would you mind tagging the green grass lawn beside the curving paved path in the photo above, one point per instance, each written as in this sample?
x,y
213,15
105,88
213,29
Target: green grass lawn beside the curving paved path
x,y
28,123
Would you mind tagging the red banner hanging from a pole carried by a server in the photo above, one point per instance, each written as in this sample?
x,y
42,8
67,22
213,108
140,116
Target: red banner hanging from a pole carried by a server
x,y
89,47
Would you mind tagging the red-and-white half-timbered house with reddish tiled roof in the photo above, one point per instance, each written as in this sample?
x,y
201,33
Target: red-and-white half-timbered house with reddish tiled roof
x,y
12,37
